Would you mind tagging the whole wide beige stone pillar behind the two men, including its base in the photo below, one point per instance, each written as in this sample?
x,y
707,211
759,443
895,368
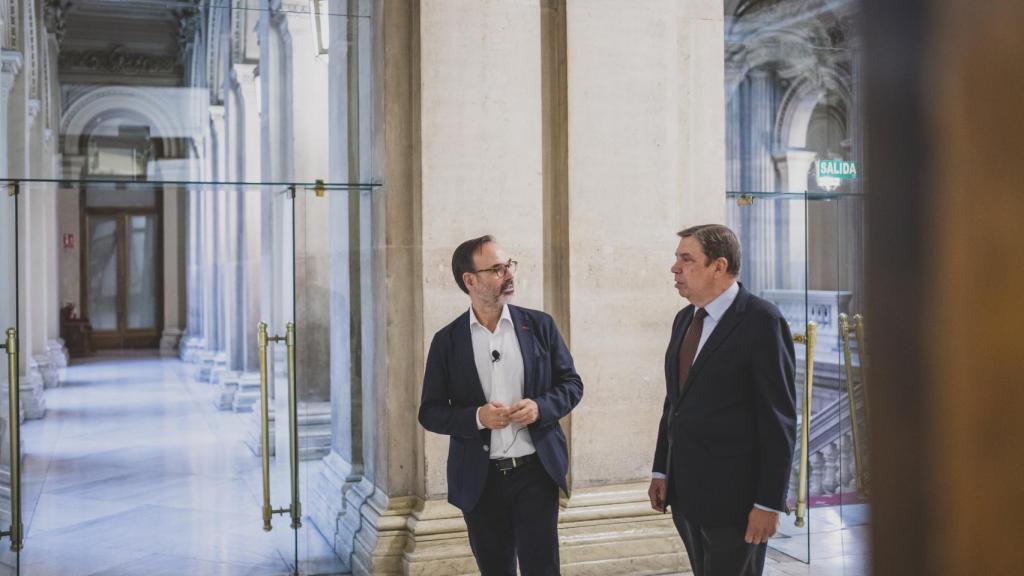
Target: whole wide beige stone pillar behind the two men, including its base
x,y
647,122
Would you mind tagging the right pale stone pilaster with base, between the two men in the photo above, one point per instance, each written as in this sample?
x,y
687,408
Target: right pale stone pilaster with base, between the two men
x,y
647,148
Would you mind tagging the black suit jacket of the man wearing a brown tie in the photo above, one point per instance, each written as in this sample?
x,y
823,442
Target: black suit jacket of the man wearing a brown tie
x,y
729,442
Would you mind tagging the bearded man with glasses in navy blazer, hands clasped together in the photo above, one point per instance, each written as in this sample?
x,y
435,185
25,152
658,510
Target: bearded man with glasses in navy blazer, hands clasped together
x,y
497,382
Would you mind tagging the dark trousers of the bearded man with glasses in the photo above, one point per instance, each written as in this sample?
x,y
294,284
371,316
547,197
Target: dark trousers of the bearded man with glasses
x,y
518,516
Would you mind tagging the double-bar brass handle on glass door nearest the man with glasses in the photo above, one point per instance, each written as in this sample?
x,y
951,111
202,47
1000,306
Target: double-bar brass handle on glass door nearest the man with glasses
x,y
295,510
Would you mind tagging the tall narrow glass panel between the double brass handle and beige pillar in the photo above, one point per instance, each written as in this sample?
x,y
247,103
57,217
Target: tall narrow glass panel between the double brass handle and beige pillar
x,y
333,308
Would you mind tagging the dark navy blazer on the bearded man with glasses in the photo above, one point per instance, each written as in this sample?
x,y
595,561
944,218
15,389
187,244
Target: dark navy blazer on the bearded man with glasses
x,y
452,393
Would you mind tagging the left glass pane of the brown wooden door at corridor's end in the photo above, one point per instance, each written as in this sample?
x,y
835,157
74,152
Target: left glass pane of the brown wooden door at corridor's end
x,y
104,273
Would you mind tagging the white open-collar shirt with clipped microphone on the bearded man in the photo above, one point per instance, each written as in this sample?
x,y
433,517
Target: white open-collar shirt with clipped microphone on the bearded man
x,y
502,382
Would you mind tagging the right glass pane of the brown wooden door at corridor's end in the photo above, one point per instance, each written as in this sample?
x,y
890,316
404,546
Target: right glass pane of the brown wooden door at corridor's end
x,y
142,273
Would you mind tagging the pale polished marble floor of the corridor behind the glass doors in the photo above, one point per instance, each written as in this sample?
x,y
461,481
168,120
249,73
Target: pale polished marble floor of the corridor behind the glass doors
x,y
134,471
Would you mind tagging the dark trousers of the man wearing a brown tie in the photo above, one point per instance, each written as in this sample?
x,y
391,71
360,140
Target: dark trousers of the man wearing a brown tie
x,y
720,551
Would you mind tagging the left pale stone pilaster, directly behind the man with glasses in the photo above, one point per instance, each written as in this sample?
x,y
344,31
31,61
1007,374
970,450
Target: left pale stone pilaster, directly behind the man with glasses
x,y
482,172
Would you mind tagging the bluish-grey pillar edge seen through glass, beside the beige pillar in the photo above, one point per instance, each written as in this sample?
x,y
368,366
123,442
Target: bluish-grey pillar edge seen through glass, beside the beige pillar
x,y
350,126
